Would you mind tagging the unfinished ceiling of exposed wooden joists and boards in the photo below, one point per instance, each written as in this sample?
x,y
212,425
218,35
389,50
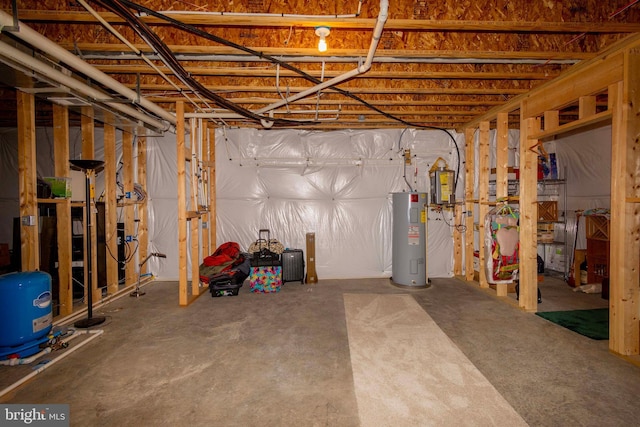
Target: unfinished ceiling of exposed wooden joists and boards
x,y
246,62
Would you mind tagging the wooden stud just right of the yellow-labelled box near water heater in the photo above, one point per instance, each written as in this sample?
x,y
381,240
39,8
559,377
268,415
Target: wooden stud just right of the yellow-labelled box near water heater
x,y
469,180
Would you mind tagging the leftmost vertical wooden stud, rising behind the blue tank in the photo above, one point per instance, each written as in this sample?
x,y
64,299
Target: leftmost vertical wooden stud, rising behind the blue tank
x,y
30,241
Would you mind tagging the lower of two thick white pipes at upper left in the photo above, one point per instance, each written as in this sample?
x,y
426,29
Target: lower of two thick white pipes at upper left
x,y
31,63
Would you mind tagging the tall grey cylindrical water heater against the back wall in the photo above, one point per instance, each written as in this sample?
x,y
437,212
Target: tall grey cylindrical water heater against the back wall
x,y
409,250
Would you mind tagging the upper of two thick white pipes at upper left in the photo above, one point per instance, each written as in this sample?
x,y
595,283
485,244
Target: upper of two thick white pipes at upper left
x,y
37,40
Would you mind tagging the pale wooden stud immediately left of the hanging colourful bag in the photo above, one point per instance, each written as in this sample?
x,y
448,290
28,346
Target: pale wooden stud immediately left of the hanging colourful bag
x,y
483,191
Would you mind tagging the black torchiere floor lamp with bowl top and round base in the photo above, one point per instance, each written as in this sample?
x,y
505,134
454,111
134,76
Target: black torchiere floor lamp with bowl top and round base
x,y
88,166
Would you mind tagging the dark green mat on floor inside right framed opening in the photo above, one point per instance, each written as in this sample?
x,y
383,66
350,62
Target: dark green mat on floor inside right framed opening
x,y
590,323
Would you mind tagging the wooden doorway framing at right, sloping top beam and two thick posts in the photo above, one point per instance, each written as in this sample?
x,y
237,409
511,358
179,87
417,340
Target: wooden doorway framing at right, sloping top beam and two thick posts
x,y
615,73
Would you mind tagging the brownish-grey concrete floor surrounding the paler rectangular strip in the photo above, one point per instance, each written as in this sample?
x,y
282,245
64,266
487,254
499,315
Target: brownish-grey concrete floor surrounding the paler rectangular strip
x,y
283,359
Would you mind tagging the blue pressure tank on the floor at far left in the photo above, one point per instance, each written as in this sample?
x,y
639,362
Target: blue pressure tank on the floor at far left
x,y
25,312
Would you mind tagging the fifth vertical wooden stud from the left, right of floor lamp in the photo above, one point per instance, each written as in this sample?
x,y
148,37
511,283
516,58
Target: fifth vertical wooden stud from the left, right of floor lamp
x,y
129,207
